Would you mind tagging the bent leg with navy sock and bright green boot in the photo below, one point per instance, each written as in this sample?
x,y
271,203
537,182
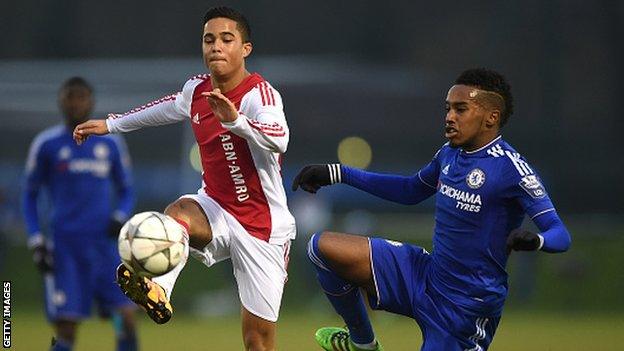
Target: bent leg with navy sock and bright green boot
x,y
343,266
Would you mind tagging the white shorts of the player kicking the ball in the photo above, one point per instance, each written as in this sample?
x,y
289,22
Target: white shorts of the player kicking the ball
x,y
259,267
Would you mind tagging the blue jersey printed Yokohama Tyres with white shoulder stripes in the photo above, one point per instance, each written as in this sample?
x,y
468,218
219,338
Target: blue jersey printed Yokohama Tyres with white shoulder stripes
x,y
480,197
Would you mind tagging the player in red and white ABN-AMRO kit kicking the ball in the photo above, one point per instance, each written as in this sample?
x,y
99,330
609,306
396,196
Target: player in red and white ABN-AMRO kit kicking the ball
x,y
240,212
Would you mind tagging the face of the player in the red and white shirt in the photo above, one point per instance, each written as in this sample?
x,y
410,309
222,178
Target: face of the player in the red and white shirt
x,y
223,48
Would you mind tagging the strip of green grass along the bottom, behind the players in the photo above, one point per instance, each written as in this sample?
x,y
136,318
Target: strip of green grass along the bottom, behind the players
x,y
517,331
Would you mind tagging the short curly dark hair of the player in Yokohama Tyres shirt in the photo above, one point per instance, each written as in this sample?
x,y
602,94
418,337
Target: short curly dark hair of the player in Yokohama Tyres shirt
x,y
489,80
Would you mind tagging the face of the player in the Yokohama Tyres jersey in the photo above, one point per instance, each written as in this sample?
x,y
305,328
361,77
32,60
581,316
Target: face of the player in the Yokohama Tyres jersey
x,y
465,125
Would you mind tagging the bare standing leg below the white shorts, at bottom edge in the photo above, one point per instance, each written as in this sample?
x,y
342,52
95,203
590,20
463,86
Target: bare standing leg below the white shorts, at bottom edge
x,y
258,333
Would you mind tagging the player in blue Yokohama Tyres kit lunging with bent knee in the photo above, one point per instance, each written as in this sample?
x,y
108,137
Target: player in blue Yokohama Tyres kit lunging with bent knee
x,y
483,190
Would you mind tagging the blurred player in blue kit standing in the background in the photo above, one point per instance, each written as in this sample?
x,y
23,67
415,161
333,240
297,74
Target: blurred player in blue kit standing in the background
x,y
79,256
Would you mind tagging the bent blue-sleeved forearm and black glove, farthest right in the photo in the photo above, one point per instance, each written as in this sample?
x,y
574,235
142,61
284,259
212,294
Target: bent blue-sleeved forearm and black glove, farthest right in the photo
x,y
554,236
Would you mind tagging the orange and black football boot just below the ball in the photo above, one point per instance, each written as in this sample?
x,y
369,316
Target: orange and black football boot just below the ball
x,y
145,293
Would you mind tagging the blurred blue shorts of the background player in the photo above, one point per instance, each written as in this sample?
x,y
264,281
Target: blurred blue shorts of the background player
x,y
83,272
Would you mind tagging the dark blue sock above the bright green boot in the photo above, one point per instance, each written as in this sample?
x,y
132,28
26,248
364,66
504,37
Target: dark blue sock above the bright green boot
x,y
345,298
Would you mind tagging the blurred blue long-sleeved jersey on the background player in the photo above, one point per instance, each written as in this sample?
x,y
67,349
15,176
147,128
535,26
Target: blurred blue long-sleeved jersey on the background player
x,y
82,183
